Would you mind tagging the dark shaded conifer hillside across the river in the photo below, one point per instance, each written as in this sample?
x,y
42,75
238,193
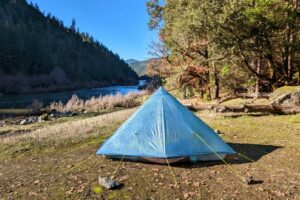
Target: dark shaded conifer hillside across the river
x,y
39,53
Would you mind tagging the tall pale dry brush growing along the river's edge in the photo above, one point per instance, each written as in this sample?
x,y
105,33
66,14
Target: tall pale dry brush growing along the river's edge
x,y
128,100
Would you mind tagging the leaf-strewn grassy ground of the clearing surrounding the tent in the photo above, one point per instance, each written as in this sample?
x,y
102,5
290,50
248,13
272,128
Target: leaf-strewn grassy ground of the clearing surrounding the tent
x,y
57,161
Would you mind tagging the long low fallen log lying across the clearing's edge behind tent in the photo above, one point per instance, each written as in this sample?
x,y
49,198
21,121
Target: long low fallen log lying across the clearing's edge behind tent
x,y
271,109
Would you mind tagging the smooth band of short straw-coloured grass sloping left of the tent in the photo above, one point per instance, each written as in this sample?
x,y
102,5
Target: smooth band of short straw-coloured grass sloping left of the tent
x,y
70,129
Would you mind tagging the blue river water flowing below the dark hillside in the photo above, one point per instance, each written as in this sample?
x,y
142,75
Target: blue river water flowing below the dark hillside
x,y
24,100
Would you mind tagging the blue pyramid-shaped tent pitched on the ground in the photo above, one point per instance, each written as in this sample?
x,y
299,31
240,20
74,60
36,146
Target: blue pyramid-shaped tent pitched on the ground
x,y
164,128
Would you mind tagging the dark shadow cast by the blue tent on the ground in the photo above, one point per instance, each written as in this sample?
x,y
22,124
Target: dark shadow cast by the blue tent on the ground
x,y
252,151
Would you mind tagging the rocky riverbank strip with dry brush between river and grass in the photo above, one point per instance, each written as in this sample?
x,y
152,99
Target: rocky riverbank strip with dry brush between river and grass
x,y
36,113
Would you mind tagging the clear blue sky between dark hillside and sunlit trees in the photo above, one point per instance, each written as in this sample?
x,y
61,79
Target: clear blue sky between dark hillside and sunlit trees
x,y
121,25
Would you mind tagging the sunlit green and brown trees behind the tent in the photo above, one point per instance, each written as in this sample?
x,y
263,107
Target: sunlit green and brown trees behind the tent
x,y
227,45
